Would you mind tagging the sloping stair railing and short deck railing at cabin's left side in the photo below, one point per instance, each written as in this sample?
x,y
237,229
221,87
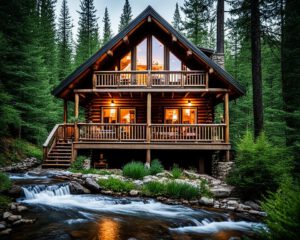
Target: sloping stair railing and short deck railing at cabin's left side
x,y
59,132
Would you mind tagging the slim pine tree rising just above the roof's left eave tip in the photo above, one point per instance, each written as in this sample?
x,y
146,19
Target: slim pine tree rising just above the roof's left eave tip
x,y
64,42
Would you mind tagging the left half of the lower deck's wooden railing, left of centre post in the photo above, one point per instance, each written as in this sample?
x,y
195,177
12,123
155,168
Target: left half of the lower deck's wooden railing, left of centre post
x,y
112,132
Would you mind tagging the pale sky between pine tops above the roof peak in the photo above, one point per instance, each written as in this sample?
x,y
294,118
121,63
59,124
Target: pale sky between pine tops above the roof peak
x,y
165,8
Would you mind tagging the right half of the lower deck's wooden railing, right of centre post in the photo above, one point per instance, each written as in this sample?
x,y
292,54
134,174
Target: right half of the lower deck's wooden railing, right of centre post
x,y
188,132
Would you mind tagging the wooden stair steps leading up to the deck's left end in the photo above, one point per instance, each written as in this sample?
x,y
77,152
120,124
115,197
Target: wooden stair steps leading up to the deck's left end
x,y
59,156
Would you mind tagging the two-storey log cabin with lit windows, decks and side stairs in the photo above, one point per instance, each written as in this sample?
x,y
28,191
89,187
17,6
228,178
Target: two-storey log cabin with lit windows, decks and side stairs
x,y
149,91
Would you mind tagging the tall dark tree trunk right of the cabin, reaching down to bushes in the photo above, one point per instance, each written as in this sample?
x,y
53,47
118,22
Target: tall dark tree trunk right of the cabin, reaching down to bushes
x,y
256,69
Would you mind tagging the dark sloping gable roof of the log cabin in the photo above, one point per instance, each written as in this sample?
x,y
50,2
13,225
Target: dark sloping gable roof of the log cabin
x,y
149,11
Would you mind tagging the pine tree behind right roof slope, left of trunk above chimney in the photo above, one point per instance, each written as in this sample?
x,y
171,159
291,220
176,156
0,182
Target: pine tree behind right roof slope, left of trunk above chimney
x,y
196,20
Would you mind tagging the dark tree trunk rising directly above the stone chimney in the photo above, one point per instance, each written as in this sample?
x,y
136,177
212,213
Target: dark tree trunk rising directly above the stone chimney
x,y
220,26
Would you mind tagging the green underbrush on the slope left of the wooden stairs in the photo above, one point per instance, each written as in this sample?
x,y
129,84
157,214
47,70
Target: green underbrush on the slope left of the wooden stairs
x,y
15,150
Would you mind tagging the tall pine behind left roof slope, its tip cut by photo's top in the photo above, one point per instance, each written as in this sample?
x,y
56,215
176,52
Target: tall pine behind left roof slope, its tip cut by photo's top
x,y
88,37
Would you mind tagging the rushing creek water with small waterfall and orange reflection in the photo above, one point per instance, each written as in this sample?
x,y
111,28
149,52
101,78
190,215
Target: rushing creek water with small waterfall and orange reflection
x,y
61,215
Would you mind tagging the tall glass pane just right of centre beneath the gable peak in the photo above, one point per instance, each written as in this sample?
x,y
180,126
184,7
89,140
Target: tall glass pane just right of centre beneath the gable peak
x,y
157,54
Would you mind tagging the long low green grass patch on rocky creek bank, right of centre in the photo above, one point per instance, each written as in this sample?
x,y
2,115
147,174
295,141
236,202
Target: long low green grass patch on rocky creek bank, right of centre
x,y
172,190
